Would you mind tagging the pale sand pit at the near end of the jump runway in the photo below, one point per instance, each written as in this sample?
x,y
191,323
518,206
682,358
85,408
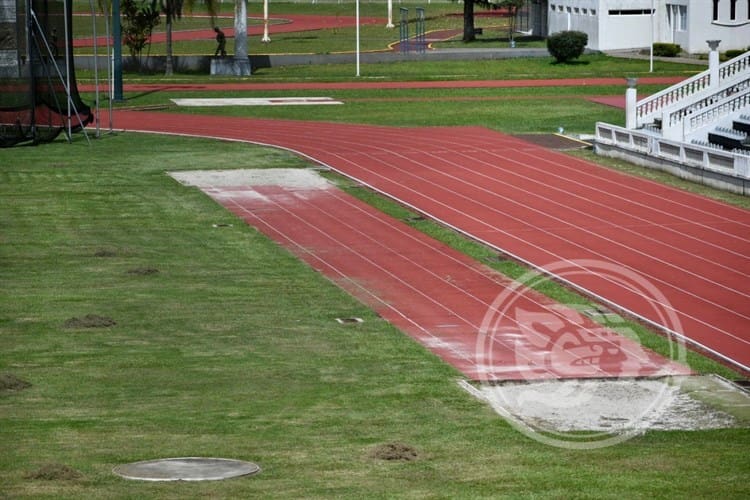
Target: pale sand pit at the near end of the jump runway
x,y
593,413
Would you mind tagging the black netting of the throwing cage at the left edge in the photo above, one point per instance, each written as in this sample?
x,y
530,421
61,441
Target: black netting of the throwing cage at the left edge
x,y
35,104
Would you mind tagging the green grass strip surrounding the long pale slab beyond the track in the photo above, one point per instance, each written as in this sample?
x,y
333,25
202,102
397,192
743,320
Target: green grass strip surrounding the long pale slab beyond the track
x,y
500,109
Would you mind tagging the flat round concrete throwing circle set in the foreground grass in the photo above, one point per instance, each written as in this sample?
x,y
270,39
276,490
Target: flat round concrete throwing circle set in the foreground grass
x,y
186,469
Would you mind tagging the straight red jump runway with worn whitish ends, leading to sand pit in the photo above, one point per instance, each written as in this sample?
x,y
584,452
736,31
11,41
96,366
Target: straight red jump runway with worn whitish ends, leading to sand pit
x,y
437,295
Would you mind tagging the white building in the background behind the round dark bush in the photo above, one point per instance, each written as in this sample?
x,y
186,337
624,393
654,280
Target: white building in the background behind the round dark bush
x,y
630,24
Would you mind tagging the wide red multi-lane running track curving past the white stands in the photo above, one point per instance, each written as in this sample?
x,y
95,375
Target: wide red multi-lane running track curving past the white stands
x,y
691,254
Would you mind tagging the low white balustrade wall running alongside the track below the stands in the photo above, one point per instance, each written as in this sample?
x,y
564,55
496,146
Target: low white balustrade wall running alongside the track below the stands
x,y
731,164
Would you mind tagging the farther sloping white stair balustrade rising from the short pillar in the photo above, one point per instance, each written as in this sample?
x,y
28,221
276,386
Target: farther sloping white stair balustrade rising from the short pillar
x,y
654,106
